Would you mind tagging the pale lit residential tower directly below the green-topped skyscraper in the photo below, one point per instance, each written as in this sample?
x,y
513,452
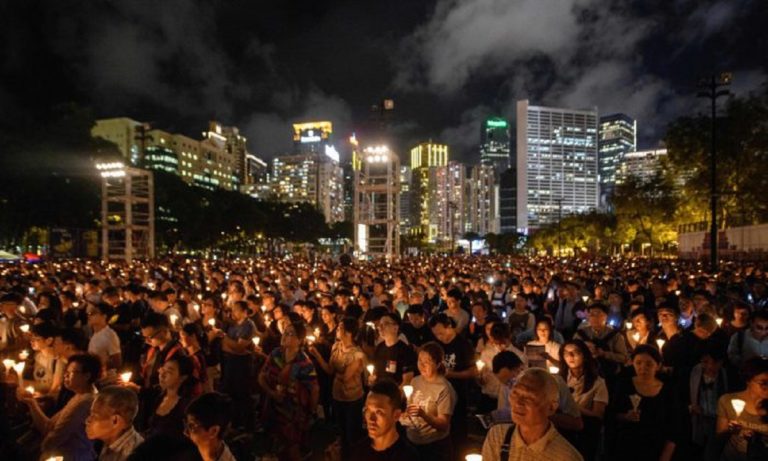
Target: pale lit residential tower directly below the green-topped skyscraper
x,y
483,203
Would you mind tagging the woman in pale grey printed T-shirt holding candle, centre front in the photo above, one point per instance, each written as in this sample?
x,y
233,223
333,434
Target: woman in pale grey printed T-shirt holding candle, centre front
x,y
428,413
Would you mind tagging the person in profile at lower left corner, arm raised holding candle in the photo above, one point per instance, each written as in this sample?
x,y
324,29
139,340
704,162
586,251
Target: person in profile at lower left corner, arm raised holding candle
x,y
64,432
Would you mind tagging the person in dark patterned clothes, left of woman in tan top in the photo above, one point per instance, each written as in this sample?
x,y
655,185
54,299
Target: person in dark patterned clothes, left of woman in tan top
x,y
290,382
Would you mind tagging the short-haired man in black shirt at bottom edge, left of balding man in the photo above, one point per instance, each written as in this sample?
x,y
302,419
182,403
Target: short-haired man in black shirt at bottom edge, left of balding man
x,y
383,408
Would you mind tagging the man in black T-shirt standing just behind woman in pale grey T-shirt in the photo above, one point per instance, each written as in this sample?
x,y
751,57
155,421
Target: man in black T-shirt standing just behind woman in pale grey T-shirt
x,y
392,358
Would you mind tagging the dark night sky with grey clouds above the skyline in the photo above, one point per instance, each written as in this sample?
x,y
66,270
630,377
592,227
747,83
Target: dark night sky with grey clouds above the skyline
x,y
261,65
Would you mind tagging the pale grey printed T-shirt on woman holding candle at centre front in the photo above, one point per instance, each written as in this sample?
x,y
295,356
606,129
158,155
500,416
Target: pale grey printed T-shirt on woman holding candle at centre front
x,y
437,398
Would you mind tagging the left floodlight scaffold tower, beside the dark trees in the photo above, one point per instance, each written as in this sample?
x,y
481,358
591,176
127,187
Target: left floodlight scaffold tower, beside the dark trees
x,y
127,212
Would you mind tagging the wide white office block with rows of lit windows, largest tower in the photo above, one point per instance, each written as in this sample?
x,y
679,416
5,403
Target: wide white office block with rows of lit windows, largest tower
x,y
556,163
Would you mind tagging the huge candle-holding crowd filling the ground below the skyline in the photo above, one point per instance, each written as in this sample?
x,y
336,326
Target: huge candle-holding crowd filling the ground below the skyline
x,y
425,358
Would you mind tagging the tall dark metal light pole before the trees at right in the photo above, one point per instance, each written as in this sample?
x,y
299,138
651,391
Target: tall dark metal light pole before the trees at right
x,y
710,88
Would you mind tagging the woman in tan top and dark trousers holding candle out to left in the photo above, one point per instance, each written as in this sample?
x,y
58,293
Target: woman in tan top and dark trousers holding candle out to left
x,y
346,367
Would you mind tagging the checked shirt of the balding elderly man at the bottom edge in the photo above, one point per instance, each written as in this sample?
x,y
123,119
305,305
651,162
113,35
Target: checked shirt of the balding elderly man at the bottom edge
x,y
551,447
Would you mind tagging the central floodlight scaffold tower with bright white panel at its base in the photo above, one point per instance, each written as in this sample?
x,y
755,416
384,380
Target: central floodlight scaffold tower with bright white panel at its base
x,y
376,202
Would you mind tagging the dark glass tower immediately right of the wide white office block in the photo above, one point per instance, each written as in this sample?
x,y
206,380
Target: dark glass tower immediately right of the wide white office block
x,y
617,137
